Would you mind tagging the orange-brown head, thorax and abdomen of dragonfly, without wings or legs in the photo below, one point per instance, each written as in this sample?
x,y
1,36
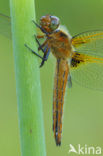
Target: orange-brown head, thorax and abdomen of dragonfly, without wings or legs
x,y
60,44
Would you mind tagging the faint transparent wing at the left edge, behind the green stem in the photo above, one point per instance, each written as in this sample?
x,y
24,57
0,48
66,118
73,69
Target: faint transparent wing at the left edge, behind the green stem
x,y
5,26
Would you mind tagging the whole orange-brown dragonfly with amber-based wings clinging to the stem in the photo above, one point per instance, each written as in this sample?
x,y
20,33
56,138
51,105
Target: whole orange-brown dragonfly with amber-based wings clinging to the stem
x,y
78,59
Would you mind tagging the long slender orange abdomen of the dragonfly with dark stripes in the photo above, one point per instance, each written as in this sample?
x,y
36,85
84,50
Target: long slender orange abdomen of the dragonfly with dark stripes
x,y
60,80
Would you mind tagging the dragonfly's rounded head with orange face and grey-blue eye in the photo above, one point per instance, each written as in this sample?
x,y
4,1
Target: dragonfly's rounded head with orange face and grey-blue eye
x,y
49,23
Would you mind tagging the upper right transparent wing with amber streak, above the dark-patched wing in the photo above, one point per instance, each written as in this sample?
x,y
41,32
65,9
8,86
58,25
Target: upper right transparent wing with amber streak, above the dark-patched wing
x,y
90,43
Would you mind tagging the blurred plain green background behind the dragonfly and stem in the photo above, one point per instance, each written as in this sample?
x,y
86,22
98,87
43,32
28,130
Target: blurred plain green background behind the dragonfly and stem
x,y
83,110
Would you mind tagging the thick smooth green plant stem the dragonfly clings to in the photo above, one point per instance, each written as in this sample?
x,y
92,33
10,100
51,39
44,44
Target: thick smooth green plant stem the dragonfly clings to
x,y
27,79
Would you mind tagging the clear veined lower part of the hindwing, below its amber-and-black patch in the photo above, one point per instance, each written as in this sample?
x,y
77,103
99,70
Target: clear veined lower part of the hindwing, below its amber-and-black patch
x,y
89,75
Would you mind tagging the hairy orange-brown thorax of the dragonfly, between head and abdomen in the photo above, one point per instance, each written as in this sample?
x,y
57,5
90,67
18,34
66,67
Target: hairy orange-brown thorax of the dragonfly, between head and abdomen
x,y
60,44
